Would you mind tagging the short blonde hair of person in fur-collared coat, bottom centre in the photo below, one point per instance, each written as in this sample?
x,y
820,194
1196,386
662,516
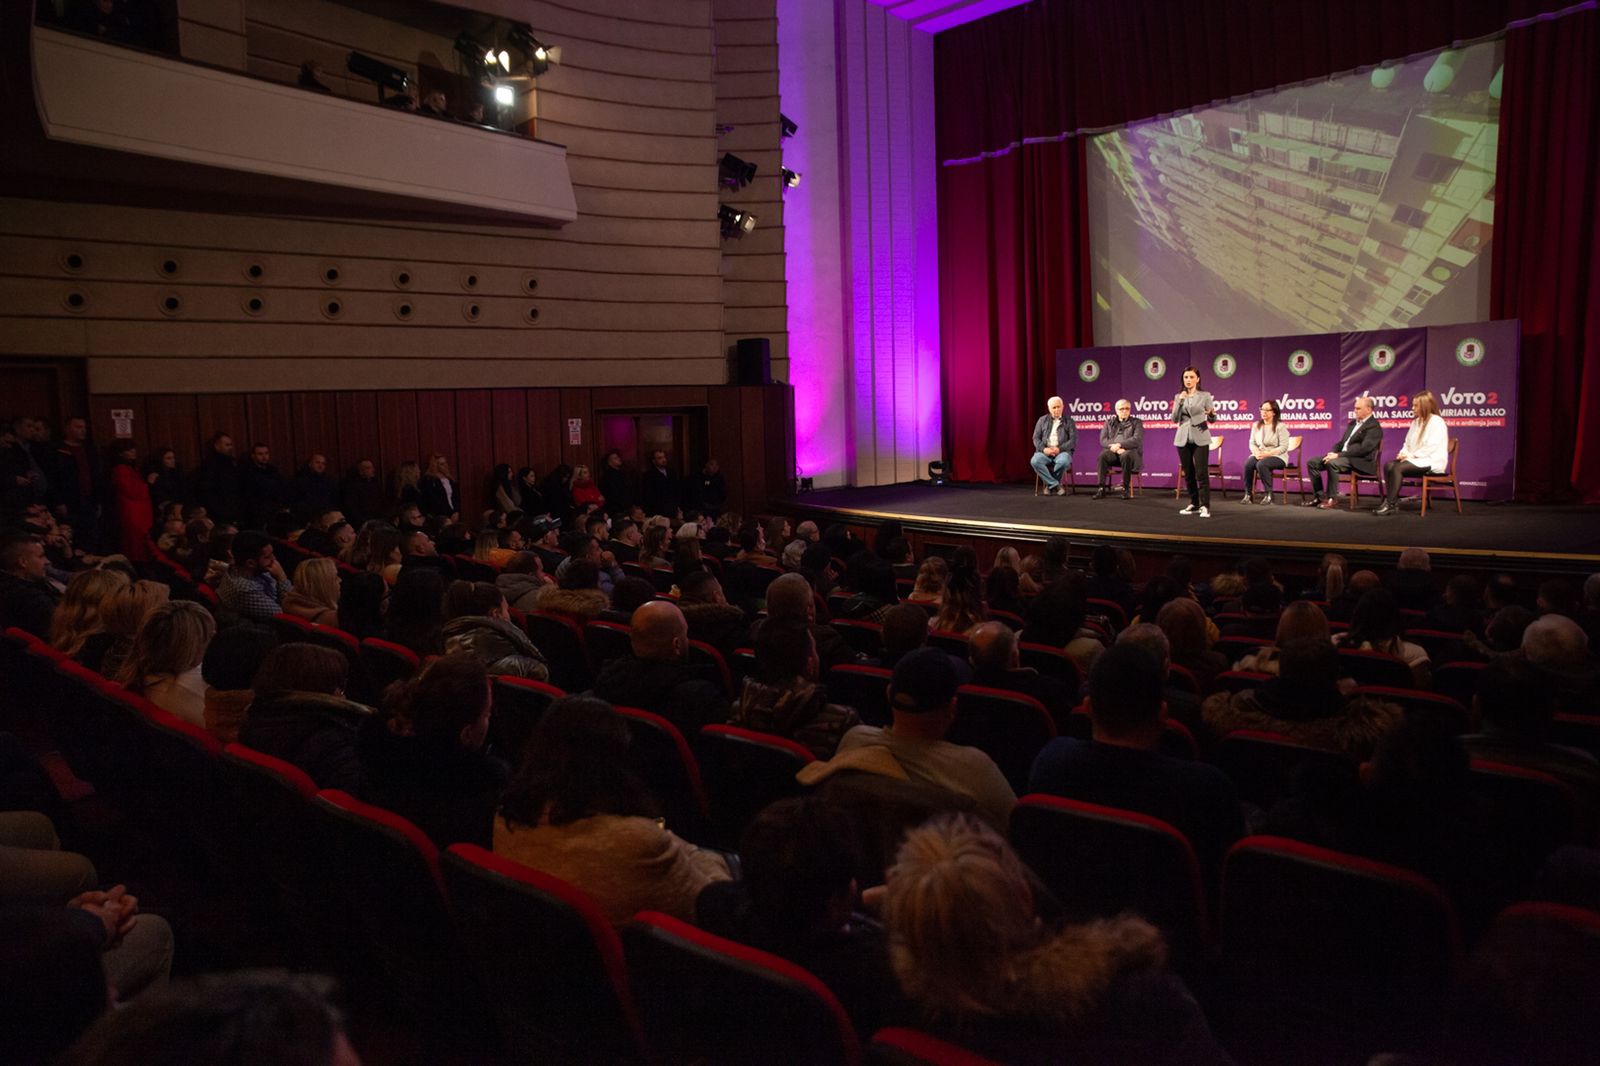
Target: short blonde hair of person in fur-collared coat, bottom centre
x,y
958,912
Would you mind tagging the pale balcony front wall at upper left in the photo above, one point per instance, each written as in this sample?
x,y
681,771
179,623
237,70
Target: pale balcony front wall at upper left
x,y
199,129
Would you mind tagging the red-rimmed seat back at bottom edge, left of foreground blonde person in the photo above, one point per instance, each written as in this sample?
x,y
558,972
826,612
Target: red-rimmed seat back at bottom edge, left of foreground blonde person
x,y
708,1000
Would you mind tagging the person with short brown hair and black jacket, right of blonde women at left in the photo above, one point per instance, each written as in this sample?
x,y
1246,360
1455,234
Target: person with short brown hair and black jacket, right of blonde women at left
x,y
300,715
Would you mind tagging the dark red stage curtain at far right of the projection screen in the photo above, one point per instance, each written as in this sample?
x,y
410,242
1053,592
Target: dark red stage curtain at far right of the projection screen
x,y
1545,263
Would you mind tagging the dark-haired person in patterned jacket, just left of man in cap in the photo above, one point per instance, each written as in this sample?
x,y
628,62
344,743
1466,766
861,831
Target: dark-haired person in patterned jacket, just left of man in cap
x,y
785,697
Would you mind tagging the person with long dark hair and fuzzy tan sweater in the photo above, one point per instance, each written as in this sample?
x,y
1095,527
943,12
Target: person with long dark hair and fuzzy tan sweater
x,y
575,811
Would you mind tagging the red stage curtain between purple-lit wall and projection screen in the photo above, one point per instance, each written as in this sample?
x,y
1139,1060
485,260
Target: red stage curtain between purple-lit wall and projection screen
x,y
1014,289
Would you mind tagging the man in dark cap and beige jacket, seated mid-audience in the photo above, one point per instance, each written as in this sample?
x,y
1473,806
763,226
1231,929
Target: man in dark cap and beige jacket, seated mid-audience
x,y
922,702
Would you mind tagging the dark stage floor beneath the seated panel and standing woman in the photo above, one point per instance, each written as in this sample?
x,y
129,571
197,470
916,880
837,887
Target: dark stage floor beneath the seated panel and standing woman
x,y
1535,537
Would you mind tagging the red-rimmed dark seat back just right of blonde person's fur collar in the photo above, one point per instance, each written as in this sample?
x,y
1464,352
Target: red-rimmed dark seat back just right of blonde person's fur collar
x,y
1337,945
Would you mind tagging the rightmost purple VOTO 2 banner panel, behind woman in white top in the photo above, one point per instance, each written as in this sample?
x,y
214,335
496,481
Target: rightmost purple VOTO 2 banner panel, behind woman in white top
x,y
1473,374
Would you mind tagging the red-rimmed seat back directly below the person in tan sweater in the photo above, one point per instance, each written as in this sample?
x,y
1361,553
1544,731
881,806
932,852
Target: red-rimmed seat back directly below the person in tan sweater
x,y
548,960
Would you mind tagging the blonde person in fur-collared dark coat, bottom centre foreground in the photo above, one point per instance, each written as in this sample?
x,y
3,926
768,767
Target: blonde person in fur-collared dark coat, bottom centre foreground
x,y
974,956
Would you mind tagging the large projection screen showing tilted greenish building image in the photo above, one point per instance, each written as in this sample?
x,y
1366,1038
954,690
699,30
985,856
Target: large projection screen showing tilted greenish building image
x,y
1354,204
